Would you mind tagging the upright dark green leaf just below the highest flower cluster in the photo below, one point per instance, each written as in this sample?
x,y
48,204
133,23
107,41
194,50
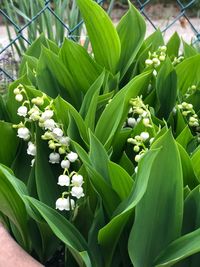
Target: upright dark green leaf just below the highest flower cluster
x,y
166,89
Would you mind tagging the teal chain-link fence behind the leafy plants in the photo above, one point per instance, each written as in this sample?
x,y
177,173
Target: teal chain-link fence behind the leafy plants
x,y
24,20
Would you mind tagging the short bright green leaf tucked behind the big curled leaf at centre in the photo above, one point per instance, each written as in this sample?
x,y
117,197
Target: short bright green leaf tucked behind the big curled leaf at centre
x,y
121,181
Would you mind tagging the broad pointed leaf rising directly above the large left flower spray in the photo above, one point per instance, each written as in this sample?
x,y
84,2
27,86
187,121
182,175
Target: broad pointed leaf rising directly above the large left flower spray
x,y
54,78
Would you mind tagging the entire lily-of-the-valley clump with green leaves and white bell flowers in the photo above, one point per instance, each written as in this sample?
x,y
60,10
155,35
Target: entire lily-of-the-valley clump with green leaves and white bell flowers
x,y
100,149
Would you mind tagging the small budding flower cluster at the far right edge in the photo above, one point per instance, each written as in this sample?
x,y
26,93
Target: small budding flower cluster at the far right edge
x,y
189,113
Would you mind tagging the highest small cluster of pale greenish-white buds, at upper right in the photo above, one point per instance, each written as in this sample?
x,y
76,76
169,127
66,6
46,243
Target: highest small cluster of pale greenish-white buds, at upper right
x,y
156,58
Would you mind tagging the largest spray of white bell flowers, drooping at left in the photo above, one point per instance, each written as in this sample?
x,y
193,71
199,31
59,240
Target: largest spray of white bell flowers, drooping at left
x,y
39,110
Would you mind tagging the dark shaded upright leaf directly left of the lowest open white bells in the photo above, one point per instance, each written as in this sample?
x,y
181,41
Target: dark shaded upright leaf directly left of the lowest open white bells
x,y
44,174
